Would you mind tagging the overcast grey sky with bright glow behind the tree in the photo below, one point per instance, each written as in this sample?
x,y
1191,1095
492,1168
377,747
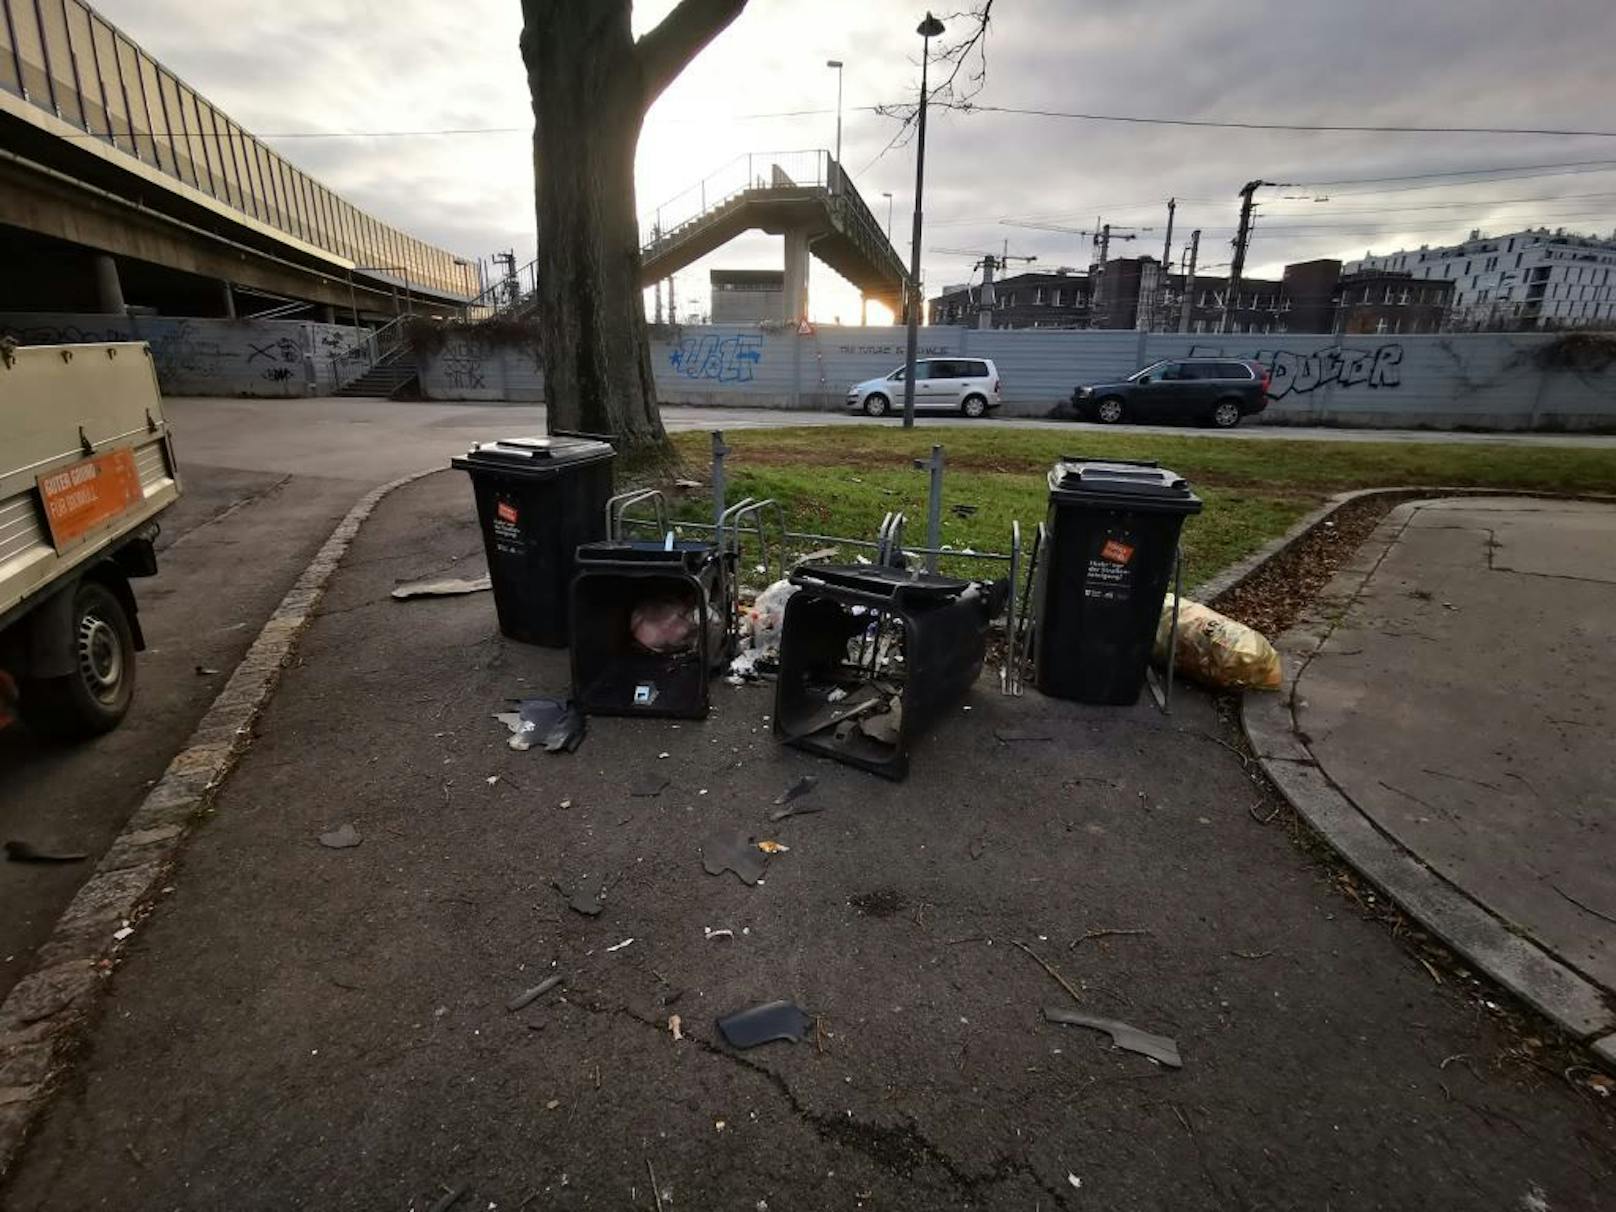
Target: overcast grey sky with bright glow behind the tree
x,y
427,65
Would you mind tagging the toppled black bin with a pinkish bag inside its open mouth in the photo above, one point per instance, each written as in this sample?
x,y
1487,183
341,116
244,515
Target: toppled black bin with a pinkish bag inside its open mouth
x,y
652,625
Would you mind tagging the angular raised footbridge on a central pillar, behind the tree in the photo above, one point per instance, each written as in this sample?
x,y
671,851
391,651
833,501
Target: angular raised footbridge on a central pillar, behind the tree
x,y
802,196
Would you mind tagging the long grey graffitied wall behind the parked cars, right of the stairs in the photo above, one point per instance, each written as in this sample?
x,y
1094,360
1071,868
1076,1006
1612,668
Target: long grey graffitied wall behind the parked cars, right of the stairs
x,y
1473,381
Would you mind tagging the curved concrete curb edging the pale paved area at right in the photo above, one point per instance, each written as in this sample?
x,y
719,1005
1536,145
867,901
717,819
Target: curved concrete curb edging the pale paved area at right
x,y
1528,970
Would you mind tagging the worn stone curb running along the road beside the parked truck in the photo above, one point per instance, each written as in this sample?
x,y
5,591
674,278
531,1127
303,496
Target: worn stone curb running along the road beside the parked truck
x,y
38,1016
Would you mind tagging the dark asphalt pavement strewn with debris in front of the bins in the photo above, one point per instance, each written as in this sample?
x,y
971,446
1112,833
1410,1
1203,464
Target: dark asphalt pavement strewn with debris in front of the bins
x,y
300,1027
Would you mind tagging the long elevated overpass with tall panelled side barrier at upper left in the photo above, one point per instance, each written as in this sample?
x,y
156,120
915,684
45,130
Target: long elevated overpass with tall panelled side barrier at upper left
x,y
124,187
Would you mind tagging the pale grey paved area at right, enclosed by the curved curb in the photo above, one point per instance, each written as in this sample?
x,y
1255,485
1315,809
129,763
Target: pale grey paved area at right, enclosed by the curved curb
x,y
1465,702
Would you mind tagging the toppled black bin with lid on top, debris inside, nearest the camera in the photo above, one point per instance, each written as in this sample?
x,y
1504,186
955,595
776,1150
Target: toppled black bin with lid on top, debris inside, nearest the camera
x,y
872,657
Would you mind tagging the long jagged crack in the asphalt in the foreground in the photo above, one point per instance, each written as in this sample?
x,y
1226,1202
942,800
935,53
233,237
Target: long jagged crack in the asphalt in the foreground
x,y
899,1151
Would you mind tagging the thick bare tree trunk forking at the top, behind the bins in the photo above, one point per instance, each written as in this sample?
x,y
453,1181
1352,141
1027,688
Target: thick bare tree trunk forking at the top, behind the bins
x,y
592,85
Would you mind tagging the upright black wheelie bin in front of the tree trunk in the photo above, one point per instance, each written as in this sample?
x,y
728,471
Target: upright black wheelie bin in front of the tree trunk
x,y
537,499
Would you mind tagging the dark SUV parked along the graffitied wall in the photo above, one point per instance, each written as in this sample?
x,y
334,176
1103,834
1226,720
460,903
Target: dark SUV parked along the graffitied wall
x,y
1193,389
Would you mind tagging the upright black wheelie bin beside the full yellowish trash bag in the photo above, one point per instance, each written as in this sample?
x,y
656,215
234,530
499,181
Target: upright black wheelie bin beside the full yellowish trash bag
x,y
1113,541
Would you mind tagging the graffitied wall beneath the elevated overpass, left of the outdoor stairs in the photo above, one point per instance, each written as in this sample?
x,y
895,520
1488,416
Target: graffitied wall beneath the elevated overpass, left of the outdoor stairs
x,y
211,358
